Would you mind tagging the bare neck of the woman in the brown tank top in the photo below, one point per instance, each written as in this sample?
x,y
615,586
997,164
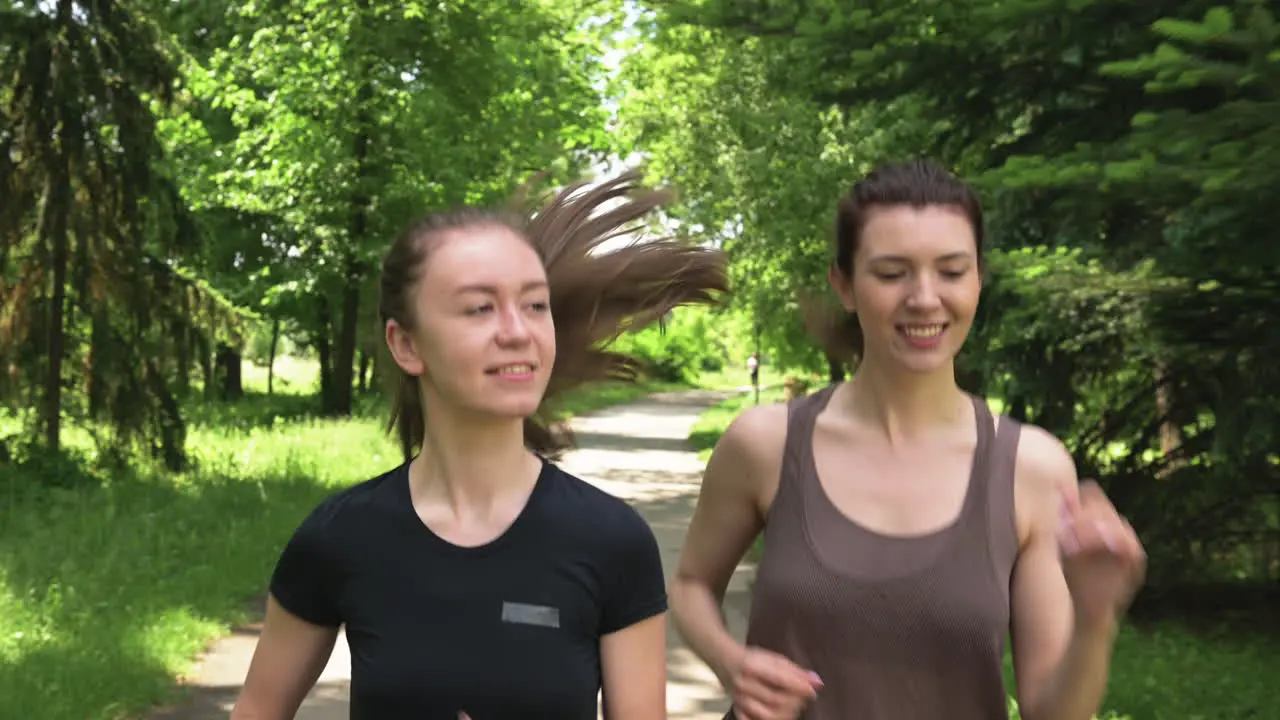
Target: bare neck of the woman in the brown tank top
x,y
904,405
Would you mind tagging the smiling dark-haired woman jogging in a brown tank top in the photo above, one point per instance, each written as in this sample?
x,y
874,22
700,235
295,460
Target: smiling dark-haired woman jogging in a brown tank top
x,y
906,530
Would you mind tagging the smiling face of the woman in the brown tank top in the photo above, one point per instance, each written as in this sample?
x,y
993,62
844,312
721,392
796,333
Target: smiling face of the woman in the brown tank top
x,y
915,285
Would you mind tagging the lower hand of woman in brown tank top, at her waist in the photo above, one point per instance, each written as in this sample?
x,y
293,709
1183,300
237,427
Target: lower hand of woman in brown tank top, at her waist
x,y
767,686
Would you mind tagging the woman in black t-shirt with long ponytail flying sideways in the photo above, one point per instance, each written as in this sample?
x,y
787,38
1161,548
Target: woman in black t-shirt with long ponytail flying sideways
x,y
478,578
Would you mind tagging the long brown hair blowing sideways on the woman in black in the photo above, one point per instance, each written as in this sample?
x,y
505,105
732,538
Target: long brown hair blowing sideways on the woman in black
x,y
596,295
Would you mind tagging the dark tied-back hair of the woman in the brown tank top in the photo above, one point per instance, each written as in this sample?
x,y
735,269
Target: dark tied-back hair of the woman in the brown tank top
x,y
917,184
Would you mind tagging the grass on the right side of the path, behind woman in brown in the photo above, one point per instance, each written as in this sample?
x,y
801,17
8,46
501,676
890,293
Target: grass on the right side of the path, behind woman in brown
x,y
1163,671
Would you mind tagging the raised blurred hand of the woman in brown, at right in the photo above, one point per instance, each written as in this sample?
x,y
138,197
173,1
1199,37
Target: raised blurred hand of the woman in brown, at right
x,y
1103,558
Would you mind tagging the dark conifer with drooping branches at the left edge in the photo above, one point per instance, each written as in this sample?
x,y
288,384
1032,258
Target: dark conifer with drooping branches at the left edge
x,y
98,245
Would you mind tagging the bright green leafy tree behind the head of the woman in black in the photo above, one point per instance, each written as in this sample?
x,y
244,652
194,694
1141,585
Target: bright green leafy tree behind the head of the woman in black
x,y
317,133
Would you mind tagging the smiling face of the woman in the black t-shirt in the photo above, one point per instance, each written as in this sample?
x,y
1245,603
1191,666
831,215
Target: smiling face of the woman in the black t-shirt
x,y
483,336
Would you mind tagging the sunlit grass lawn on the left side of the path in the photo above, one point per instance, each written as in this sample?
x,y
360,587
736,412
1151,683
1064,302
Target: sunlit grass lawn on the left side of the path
x,y
112,584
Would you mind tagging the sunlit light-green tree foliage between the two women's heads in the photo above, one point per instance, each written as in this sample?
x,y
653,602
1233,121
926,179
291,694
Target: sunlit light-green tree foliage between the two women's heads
x,y
760,172
